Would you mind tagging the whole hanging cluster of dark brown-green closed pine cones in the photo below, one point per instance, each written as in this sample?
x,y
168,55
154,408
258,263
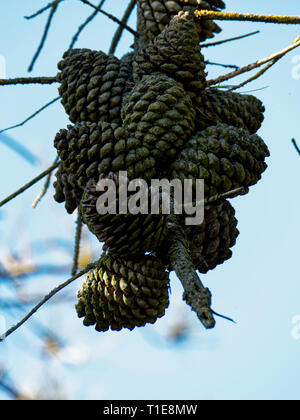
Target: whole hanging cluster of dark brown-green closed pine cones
x,y
151,114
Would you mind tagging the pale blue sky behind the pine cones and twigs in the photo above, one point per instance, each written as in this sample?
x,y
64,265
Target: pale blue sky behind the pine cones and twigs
x,y
257,358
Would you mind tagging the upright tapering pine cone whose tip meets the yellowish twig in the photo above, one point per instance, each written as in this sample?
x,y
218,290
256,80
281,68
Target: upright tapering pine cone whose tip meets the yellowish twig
x,y
176,53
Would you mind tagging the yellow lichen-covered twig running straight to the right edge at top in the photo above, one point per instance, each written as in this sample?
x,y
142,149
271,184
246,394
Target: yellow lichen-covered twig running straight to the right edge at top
x,y
247,17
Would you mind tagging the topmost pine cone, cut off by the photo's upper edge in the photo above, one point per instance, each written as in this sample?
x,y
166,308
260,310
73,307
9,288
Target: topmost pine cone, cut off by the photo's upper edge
x,y
155,15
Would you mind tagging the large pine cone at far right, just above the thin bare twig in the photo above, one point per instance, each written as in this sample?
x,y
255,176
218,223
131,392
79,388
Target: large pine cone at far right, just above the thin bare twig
x,y
224,156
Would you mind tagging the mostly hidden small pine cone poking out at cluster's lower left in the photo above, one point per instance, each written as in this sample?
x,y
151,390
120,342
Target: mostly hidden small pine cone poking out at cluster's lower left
x,y
66,190
